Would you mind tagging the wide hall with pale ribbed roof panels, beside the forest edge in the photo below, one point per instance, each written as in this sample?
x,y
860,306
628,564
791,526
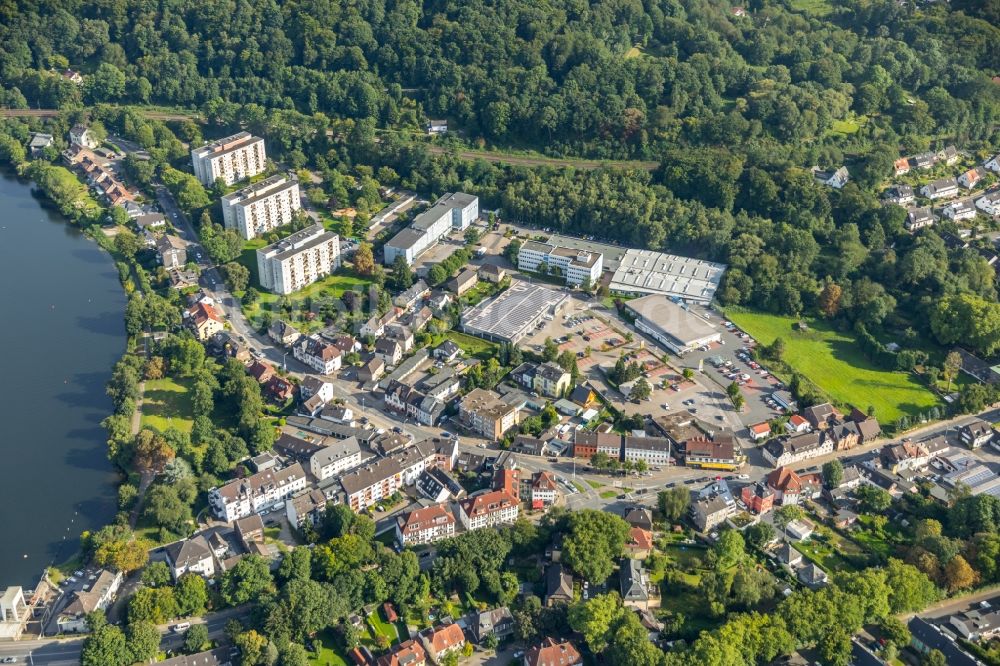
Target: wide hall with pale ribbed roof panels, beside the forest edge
x,y
646,272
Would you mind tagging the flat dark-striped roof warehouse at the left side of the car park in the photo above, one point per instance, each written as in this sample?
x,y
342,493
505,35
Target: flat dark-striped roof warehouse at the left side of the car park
x,y
510,315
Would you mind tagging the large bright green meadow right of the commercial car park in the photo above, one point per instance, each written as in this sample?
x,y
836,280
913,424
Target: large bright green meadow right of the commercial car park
x,y
833,362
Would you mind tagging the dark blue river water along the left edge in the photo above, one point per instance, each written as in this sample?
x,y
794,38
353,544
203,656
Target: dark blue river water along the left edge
x,y
61,330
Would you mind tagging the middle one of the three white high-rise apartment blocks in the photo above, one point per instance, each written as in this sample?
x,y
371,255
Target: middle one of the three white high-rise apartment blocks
x,y
256,209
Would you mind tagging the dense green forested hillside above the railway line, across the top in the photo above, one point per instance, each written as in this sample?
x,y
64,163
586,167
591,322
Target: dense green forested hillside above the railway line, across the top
x,y
612,78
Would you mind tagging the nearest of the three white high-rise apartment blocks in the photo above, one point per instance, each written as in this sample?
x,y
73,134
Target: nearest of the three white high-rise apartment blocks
x,y
298,260
